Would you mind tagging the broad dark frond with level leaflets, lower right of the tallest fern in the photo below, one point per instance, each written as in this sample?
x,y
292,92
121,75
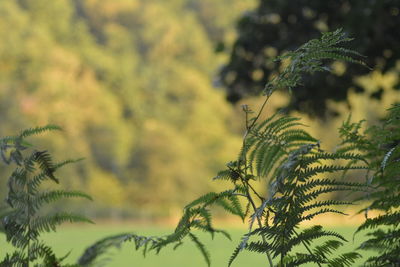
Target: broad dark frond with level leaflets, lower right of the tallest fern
x,y
294,192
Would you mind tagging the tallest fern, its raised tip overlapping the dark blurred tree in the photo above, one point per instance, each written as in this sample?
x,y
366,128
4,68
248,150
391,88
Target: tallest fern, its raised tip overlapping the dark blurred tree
x,y
279,152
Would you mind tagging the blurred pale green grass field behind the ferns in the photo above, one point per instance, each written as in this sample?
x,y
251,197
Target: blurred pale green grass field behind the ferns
x,y
77,238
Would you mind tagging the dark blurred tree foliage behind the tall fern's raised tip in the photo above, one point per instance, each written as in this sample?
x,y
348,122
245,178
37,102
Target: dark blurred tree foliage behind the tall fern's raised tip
x,y
277,25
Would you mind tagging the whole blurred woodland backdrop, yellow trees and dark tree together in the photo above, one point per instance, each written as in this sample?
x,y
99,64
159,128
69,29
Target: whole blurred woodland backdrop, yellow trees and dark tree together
x,y
149,91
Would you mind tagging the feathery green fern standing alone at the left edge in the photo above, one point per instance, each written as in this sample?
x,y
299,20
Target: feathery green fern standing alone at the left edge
x,y
24,220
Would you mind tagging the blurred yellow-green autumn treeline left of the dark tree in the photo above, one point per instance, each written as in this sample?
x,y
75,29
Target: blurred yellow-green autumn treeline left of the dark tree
x,y
130,82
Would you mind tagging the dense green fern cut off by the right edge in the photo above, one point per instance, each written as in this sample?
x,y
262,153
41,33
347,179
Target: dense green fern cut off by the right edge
x,y
384,155
